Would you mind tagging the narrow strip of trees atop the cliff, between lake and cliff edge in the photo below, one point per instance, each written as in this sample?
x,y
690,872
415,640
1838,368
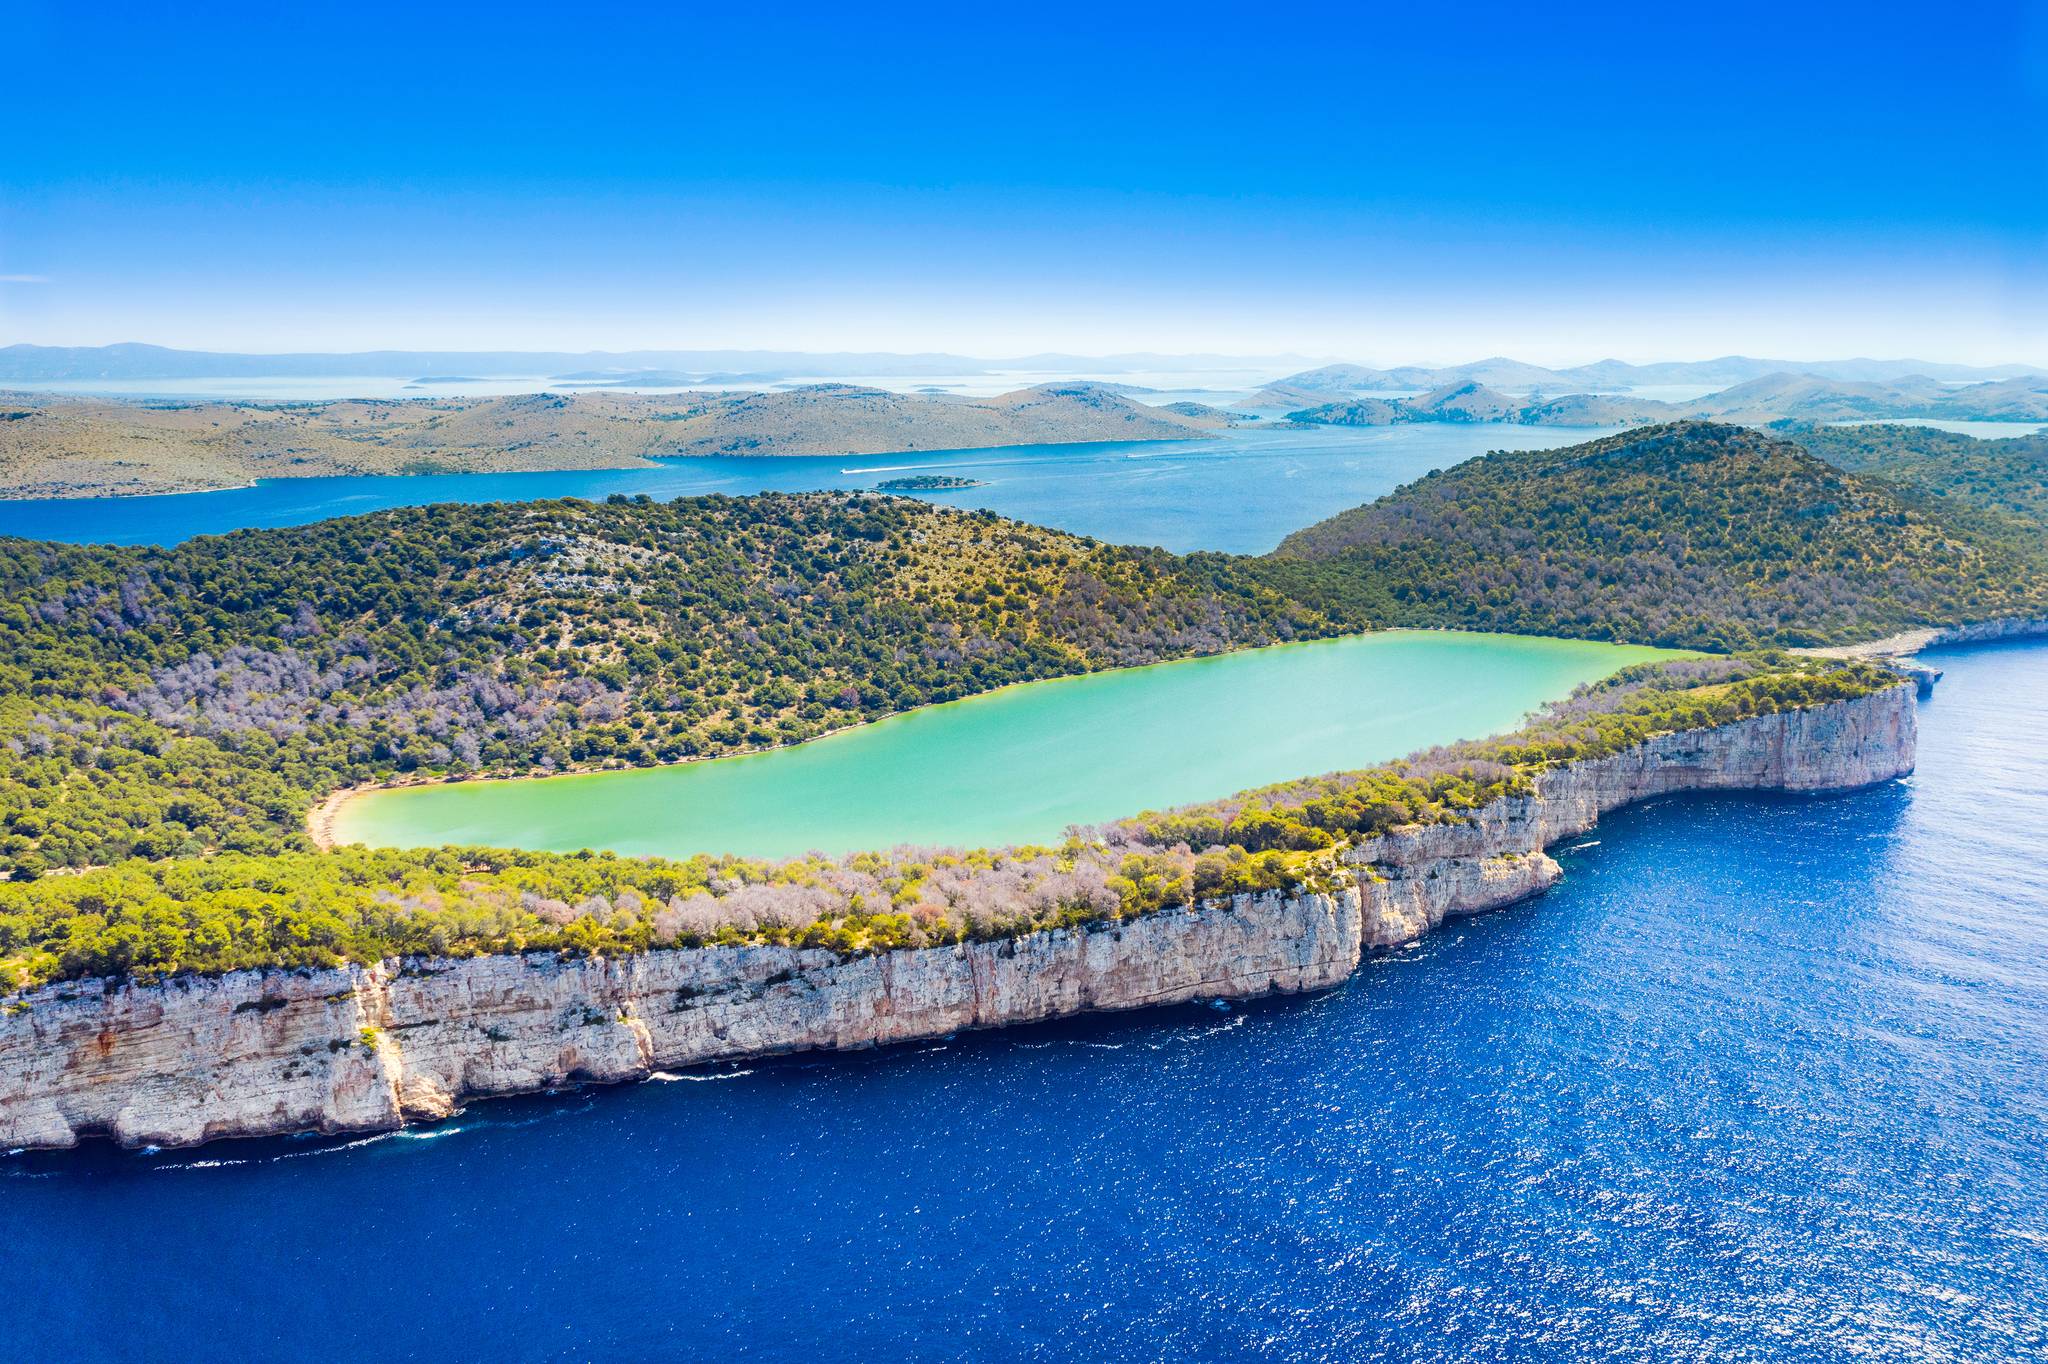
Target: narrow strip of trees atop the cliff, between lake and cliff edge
x,y
161,919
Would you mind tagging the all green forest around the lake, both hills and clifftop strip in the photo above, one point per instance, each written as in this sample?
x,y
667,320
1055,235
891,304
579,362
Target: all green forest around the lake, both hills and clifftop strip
x,y
171,716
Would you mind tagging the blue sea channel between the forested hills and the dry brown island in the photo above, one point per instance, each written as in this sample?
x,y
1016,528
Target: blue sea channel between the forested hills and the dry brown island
x,y
1240,493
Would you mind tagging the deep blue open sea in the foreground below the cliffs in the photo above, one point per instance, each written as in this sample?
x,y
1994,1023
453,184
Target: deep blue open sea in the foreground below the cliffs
x,y
1764,1080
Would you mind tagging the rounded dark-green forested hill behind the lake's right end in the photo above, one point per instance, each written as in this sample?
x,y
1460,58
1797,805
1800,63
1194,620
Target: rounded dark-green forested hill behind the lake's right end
x,y
1691,534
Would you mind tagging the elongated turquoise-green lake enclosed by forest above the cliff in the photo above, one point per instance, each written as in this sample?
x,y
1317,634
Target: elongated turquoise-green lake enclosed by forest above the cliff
x,y
1025,763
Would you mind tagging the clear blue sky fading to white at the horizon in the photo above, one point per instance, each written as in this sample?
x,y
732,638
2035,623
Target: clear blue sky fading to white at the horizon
x,y
1379,183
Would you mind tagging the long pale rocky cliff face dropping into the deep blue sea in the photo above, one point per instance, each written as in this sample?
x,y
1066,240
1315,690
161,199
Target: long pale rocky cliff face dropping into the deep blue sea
x,y
372,1048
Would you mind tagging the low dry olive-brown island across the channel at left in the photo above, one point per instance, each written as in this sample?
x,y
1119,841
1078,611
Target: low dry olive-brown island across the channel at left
x,y
56,447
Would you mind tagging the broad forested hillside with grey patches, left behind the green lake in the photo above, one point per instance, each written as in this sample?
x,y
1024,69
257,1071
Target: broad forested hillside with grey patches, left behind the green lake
x,y
202,697
